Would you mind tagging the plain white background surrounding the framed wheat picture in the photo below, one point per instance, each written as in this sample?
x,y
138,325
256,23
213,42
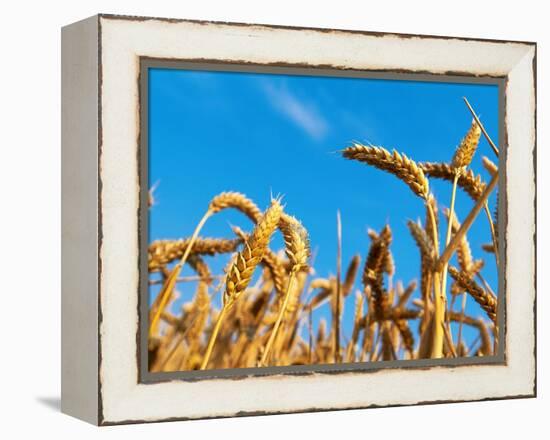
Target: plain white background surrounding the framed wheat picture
x,y
30,216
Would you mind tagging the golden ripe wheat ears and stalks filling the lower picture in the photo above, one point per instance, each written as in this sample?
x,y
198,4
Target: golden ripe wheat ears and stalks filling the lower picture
x,y
259,312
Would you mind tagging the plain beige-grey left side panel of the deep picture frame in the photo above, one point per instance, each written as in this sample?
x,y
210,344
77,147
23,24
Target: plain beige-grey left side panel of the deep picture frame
x,y
79,213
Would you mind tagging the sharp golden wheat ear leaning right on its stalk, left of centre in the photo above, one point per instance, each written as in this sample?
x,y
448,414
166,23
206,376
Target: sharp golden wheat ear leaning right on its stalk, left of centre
x,y
240,272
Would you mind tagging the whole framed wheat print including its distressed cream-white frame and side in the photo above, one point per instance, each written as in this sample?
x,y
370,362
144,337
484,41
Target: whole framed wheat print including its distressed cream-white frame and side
x,y
262,219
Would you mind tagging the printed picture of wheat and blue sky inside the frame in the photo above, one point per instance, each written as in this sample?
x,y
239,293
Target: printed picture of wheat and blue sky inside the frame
x,y
304,219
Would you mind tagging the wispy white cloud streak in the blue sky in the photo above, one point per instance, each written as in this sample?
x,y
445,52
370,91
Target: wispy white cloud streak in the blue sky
x,y
304,114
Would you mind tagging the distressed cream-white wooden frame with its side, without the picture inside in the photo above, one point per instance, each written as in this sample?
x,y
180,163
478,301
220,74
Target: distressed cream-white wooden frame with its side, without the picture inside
x,y
101,193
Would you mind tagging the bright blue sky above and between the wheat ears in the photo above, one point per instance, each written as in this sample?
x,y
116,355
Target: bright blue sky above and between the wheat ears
x,y
263,134
